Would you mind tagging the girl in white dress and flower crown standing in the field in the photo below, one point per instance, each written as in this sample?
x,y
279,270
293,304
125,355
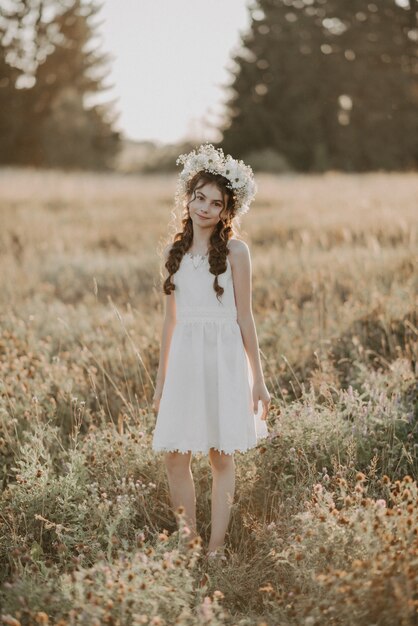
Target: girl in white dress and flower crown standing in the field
x,y
209,381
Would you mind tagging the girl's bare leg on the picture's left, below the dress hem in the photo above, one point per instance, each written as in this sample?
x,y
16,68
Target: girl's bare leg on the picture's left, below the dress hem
x,y
181,485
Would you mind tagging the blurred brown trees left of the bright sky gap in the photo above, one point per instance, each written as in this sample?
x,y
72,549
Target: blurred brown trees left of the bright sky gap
x,y
50,69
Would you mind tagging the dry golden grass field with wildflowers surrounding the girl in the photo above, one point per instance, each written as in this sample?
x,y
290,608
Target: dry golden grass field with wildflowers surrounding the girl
x,y
324,527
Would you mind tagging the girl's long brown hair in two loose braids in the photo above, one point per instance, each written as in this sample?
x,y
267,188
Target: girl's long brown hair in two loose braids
x,y
222,232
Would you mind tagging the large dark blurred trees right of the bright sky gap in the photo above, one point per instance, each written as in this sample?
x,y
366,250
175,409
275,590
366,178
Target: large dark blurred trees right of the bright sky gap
x,y
328,84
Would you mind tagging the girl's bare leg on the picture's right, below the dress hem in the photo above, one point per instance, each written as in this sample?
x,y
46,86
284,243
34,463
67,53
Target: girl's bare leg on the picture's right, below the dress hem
x,y
223,489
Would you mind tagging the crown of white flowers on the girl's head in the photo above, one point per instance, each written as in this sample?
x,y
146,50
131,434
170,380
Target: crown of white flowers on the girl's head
x,y
210,159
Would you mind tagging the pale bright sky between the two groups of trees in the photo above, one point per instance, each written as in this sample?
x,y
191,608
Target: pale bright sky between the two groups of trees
x,y
169,62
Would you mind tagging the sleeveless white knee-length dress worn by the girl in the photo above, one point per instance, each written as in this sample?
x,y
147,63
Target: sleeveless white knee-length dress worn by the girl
x,y
206,400
